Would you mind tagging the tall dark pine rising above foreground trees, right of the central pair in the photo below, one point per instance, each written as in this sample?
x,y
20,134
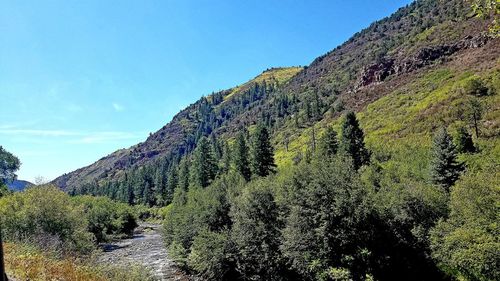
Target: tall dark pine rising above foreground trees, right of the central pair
x,y
353,141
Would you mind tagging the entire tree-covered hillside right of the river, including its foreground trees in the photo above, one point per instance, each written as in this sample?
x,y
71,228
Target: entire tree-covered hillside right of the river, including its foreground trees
x,y
379,161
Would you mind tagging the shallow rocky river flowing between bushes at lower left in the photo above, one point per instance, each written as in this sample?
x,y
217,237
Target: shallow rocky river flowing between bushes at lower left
x,y
145,248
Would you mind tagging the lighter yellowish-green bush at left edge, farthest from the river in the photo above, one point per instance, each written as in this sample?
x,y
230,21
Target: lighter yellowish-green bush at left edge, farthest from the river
x,y
46,216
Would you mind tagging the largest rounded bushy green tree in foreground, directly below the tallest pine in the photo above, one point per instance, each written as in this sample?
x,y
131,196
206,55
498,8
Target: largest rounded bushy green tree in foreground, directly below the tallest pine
x,y
328,210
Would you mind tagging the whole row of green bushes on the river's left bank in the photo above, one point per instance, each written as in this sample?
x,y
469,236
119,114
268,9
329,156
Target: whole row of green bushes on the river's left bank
x,y
49,218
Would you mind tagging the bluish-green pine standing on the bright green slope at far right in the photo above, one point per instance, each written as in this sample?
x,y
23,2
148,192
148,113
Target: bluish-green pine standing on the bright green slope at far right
x,y
445,168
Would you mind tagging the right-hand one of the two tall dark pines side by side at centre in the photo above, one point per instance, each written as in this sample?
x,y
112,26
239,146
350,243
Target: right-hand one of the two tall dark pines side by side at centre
x,y
263,154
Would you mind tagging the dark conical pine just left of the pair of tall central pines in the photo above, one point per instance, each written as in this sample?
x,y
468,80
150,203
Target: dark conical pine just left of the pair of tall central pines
x,y
204,164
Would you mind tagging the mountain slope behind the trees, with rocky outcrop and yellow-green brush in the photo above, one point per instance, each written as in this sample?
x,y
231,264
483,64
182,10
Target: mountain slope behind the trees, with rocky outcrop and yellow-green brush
x,y
397,74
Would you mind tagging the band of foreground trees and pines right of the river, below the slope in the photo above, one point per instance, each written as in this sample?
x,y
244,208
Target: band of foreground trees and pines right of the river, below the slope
x,y
328,219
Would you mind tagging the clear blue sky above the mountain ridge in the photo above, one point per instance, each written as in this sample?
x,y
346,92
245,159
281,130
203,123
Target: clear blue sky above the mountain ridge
x,y
80,79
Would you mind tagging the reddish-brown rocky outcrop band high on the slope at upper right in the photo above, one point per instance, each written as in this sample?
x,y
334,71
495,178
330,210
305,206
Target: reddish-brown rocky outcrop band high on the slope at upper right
x,y
379,71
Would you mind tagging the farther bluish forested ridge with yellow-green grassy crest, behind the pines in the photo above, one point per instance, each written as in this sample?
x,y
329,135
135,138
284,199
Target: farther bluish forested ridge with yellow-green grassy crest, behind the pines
x,y
179,136
